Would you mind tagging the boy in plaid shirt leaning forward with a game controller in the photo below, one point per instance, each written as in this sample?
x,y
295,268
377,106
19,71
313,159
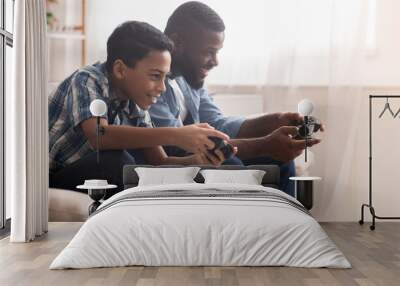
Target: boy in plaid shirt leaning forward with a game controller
x,y
132,78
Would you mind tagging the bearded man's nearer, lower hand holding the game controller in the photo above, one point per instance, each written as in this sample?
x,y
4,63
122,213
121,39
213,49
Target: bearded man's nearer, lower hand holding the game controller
x,y
281,146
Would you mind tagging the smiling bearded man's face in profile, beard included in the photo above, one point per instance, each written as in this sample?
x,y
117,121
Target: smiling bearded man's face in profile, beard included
x,y
198,55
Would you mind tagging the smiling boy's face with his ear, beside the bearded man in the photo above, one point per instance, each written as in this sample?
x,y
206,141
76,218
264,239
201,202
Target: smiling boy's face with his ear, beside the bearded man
x,y
144,83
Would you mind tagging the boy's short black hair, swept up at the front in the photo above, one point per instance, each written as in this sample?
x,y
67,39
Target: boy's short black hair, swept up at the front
x,y
132,41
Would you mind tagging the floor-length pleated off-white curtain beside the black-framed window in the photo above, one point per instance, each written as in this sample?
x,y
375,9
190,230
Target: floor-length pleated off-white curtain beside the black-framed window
x,y
26,130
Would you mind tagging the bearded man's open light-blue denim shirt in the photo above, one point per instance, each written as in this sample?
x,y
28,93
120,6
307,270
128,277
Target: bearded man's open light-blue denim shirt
x,y
201,108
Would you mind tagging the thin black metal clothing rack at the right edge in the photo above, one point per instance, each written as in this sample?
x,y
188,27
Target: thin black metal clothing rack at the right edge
x,y
370,205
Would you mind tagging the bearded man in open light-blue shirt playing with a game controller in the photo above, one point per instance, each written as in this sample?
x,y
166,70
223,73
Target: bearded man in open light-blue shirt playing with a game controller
x,y
198,34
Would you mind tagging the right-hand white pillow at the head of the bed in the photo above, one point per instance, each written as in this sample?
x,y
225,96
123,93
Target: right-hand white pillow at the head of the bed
x,y
248,177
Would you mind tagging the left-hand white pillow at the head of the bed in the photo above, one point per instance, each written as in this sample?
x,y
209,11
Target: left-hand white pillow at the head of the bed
x,y
163,176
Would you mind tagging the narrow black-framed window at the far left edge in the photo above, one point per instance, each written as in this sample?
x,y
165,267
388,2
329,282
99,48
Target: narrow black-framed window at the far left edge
x,y
6,44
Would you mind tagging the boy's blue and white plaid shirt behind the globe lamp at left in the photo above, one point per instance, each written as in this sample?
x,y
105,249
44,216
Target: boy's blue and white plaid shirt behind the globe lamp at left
x,y
69,106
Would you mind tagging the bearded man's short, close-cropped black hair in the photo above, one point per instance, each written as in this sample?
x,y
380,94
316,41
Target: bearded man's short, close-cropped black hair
x,y
192,14
